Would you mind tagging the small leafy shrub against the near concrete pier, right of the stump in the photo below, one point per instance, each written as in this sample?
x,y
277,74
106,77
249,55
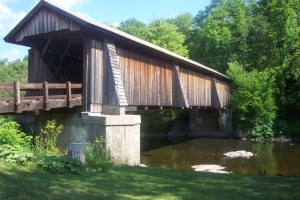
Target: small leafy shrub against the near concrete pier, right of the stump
x,y
97,157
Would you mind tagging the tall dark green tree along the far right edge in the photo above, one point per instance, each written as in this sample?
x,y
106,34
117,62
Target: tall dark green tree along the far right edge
x,y
283,35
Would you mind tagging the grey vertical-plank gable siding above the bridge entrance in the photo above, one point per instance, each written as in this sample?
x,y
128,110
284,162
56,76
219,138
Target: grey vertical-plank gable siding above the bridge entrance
x,y
45,21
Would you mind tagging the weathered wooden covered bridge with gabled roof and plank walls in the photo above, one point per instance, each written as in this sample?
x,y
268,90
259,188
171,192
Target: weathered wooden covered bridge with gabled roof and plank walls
x,y
74,61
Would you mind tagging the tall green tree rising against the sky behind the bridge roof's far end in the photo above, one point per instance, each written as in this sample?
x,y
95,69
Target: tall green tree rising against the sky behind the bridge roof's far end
x,y
220,33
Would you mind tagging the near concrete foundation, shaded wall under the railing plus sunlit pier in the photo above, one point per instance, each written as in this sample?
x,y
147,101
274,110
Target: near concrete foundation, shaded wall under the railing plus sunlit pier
x,y
121,132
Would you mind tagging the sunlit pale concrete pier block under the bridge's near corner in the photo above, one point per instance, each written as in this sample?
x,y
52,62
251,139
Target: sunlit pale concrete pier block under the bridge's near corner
x,y
122,133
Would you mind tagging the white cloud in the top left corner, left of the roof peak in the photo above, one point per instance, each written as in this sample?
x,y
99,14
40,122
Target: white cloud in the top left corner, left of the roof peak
x,y
8,17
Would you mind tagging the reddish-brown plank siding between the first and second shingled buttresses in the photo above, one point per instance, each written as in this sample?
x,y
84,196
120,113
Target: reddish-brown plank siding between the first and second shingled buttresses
x,y
147,82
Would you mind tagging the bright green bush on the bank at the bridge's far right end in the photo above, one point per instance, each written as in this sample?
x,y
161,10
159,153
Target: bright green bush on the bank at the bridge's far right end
x,y
253,100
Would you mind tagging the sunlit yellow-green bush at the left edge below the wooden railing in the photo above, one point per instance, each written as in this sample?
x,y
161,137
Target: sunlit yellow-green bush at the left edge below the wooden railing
x,y
10,133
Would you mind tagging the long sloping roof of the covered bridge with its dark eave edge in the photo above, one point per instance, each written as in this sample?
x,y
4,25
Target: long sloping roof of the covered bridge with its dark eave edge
x,y
97,26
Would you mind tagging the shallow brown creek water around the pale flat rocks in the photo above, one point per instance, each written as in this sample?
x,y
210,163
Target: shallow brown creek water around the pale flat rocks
x,y
272,158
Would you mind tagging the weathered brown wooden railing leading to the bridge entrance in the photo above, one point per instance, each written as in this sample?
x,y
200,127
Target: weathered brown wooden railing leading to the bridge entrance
x,y
18,104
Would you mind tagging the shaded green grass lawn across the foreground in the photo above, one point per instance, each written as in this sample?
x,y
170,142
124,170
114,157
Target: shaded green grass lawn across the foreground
x,y
143,183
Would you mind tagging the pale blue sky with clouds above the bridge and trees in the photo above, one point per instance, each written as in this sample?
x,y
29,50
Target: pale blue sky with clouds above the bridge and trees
x,y
112,12
